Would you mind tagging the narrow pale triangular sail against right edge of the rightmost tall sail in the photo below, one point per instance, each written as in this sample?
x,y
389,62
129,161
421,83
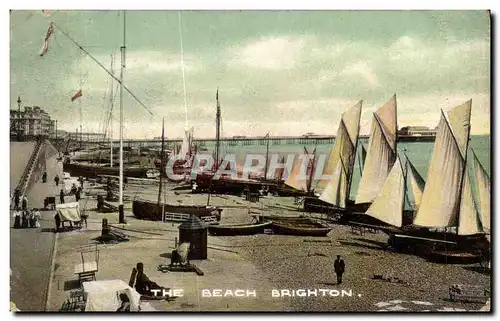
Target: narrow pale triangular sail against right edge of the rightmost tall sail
x,y
469,221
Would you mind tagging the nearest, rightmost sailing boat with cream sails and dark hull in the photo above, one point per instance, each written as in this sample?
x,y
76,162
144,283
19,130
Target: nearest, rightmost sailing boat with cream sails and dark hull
x,y
446,212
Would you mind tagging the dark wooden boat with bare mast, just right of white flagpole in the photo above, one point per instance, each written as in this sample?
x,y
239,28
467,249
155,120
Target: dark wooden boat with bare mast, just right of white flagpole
x,y
158,211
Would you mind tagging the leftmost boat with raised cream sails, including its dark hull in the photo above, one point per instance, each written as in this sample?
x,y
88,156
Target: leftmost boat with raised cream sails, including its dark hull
x,y
340,165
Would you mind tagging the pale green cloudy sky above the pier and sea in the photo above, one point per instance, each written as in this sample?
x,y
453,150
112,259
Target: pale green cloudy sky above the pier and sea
x,y
283,72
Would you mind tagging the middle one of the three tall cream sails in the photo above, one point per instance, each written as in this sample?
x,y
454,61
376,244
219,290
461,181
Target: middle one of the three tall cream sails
x,y
381,152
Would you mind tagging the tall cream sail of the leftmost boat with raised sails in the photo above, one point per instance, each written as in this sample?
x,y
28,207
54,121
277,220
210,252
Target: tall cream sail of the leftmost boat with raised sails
x,y
344,146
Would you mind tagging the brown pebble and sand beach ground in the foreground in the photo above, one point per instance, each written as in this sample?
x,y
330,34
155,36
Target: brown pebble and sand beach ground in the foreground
x,y
275,272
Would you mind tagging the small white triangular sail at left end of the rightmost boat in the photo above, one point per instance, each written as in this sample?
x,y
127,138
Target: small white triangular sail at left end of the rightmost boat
x,y
388,205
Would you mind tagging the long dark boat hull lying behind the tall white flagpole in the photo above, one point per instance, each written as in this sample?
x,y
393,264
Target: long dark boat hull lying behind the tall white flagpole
x,y
90,171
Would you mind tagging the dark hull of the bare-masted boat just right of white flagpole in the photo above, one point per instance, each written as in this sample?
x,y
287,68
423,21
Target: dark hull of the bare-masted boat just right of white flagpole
x,y
148,210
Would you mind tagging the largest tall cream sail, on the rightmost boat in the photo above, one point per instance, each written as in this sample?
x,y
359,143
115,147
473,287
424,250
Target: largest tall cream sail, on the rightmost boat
x,y
439,205
